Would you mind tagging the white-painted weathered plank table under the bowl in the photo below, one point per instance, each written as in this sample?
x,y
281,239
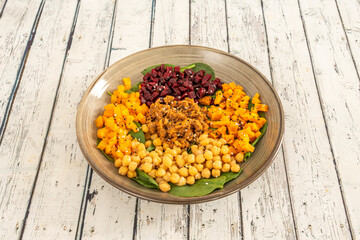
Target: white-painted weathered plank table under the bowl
x,y
51,50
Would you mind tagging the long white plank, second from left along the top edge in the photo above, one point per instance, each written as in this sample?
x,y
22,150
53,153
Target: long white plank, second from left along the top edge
x,y
23,140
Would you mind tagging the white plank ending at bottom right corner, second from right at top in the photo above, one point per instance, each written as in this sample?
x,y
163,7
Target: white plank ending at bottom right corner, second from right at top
x,y
339,87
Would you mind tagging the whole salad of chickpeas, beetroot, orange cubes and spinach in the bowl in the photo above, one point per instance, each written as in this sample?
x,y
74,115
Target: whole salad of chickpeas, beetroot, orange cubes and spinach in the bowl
x,y
181,130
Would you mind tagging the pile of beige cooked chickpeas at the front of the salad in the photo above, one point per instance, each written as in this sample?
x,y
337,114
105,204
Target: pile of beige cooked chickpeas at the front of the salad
x,y
209,158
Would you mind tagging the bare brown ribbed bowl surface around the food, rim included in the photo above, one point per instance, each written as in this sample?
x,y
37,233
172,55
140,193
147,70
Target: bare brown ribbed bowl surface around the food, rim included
x,y
227,67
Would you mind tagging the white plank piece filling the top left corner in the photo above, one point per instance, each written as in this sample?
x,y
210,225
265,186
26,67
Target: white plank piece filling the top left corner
x,y
13,41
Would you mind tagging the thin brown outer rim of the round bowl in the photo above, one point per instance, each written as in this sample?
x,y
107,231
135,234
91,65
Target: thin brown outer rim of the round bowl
x,y
190,200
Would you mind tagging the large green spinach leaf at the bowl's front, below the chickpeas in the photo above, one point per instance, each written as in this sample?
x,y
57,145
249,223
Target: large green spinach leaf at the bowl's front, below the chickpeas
x,y
199,188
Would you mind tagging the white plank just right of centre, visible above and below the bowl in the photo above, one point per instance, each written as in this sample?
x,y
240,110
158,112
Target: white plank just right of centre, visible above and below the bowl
x,y
219,219
